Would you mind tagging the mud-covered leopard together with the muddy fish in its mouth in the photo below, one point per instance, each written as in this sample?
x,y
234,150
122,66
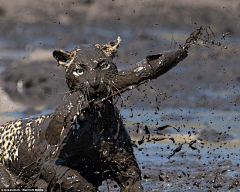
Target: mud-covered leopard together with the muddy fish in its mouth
x,y
84,141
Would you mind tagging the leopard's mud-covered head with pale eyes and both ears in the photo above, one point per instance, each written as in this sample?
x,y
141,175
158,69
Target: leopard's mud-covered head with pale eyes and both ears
x,y
88,67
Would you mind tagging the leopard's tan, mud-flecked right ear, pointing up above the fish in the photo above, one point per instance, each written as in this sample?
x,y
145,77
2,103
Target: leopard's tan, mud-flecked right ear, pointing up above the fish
x,y
110,49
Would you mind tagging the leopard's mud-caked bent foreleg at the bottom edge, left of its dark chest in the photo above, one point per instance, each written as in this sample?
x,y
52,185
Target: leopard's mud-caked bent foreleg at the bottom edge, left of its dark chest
x,y
62,178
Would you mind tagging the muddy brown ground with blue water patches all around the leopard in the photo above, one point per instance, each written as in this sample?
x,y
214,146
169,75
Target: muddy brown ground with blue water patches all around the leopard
x,y
201,95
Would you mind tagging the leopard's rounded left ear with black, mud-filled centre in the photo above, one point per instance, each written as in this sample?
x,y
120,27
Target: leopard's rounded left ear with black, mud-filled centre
x,y
64,58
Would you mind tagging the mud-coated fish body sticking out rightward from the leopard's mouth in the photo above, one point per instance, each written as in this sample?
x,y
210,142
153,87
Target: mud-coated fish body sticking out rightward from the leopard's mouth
x,y
150,68
